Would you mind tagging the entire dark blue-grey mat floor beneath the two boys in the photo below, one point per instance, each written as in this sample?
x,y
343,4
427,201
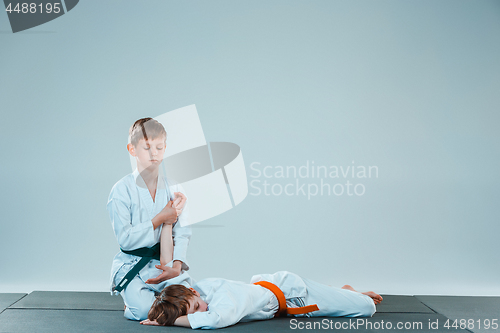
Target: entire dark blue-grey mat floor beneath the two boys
x,y
89,311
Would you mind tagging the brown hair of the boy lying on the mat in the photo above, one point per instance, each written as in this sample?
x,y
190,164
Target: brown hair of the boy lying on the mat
x,y
172,303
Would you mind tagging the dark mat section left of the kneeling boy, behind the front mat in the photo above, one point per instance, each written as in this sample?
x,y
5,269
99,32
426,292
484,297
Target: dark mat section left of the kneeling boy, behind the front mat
x,y
70,300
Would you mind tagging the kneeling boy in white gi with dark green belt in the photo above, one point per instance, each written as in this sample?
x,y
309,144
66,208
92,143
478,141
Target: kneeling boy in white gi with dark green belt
x,y
142,208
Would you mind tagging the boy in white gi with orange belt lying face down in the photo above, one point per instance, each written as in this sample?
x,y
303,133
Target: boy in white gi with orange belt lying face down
x,y
218,303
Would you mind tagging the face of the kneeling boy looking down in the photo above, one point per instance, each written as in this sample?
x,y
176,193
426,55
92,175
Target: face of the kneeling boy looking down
x,y
148,154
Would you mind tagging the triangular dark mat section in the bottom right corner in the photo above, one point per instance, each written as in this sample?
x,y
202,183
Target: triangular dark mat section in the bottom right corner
x,y
478,312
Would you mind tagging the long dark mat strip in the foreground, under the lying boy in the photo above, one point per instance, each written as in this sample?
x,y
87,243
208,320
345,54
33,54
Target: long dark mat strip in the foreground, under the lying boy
x,y
55,321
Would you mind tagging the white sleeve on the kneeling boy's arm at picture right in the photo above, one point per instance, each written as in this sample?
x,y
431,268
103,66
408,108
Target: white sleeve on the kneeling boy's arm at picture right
x,y
181,234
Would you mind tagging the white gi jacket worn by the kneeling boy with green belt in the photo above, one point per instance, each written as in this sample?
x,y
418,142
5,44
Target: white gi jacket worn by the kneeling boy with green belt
x,y
131,210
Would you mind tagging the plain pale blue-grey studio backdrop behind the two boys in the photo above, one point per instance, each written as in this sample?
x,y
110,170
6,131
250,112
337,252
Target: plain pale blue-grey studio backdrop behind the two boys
x,y
411,87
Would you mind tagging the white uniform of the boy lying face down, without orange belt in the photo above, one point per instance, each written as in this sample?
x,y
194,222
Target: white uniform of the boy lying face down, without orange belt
x,y
230,302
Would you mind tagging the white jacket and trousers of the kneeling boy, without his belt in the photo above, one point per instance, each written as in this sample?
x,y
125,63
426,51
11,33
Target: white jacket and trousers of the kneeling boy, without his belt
x,y
131,210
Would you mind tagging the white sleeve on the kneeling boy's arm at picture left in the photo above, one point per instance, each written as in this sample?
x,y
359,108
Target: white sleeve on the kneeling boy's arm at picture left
x,y
129,236
